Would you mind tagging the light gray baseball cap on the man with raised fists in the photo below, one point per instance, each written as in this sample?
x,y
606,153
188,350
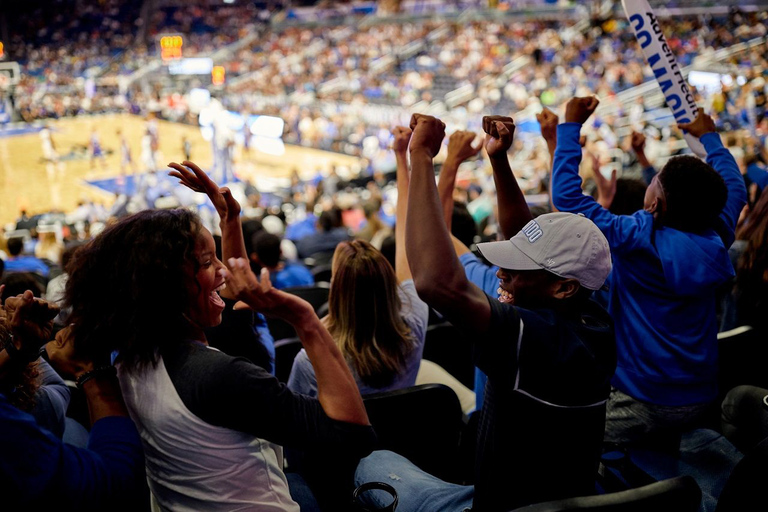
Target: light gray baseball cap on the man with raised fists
x,y
568,245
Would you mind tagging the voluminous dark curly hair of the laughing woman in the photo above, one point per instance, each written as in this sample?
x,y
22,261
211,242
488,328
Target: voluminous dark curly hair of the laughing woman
x,y
127,287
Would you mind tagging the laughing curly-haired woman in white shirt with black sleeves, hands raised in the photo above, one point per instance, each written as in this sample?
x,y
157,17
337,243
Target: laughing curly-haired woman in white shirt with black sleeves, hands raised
x,y
212,425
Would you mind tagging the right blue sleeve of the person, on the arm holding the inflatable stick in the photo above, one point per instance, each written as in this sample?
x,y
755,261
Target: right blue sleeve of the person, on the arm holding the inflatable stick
x,y
723,162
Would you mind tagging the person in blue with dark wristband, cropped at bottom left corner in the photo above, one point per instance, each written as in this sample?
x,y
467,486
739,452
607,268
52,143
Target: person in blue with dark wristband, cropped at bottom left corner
x,y
39,471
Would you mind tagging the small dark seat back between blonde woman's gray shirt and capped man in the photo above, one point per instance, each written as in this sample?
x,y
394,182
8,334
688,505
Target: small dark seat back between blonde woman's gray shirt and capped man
x,y
448,347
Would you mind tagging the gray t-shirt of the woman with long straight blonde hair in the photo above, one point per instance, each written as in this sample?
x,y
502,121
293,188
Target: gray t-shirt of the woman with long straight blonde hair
x,y
414,312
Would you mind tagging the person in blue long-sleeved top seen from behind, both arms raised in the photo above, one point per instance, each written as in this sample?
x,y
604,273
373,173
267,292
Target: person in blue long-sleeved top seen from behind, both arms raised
x,y
668,261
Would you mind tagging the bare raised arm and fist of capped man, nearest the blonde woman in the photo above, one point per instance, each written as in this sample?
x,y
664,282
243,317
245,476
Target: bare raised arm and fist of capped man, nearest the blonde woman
x,y
437,273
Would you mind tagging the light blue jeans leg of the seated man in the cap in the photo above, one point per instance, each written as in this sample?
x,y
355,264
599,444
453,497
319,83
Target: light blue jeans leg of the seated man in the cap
x,y
417,491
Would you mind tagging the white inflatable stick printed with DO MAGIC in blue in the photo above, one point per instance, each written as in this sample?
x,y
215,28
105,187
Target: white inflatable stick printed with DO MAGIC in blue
x,y
662,60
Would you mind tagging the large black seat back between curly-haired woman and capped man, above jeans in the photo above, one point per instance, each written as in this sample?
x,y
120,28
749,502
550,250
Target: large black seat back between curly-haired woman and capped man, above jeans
x,y
422,423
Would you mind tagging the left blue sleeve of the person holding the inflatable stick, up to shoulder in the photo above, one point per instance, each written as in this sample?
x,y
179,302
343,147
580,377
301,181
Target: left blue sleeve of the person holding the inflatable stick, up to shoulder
x,y
622,231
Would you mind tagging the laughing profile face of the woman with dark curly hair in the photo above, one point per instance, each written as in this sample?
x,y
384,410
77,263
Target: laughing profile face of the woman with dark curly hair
x,y
206,306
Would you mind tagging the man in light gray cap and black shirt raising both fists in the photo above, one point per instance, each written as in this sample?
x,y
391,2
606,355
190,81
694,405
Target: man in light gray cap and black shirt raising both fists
x,y
547,350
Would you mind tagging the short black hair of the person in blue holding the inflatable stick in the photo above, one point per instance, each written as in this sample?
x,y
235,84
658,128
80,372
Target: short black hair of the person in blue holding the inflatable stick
x,y
695,194
